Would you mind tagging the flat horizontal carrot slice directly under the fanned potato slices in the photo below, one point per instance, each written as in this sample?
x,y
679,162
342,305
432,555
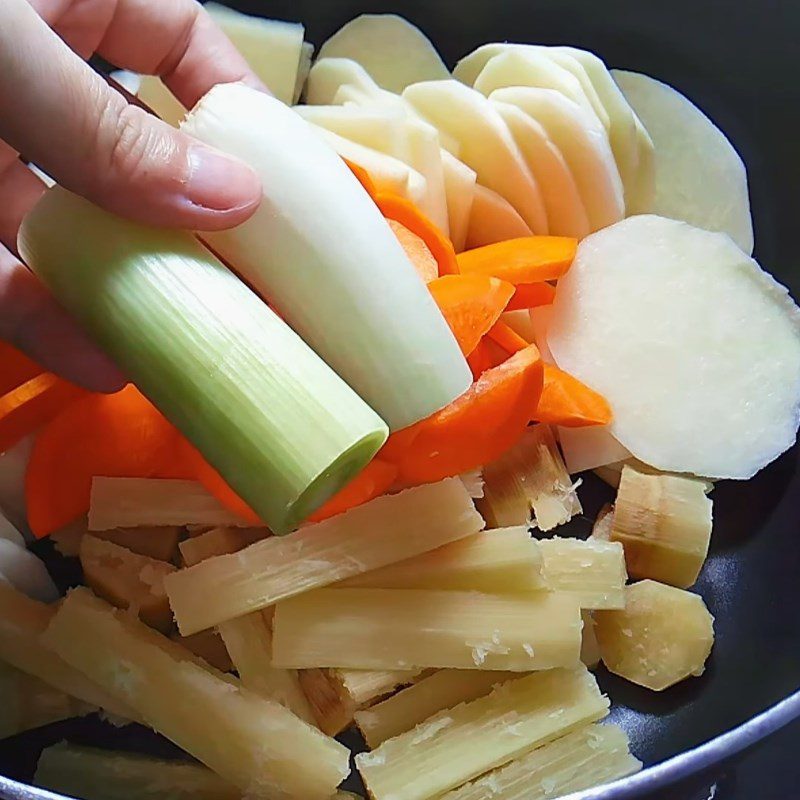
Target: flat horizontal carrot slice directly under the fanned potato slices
x,y
528,260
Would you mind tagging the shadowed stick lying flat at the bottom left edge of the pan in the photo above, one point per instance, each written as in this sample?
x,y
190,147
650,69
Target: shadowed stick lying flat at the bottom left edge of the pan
x,y
94,774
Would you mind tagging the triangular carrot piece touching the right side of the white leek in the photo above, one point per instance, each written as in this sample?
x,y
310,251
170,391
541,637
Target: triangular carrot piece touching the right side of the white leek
x,y
471,304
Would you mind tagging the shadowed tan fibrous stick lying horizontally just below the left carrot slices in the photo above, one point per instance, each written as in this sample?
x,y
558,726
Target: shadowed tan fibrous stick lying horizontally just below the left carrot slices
x,y
134,502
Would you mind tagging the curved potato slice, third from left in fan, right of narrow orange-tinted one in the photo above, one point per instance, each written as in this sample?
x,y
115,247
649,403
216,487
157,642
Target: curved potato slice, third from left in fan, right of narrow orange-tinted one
x,y
584,145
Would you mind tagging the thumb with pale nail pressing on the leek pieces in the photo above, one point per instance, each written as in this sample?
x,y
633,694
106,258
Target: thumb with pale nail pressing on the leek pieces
x,y
83,133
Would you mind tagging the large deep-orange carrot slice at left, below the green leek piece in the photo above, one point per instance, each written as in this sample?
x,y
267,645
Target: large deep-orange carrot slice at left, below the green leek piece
x,y
119,435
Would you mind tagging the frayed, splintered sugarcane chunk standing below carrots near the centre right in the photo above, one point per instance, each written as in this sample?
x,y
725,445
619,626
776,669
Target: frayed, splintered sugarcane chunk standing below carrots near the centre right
x,y
530,476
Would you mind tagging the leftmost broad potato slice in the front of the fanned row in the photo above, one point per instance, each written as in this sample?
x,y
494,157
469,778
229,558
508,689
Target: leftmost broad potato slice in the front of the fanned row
x,y
486,144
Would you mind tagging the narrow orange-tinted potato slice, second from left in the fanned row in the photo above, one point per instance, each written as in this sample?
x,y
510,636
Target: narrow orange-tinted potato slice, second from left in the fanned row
x,y
566,215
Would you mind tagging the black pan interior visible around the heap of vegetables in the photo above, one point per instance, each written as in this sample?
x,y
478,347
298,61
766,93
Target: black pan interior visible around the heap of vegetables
x,y
739,62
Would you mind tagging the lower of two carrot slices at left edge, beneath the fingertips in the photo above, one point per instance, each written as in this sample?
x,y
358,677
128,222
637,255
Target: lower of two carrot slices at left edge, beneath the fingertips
x,y
25,409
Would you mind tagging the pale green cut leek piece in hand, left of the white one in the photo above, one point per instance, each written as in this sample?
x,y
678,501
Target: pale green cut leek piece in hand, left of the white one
x,y
163,305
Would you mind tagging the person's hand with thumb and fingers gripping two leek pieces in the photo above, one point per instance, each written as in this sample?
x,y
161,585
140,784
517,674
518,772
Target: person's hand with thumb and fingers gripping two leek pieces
x,y
56,112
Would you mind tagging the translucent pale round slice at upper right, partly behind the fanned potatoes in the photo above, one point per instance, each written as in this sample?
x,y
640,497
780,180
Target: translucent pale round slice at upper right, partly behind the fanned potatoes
x,y
700,177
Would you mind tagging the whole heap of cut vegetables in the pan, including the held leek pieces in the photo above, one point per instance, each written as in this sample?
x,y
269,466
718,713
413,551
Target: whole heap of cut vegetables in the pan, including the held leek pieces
x,y
333,468
